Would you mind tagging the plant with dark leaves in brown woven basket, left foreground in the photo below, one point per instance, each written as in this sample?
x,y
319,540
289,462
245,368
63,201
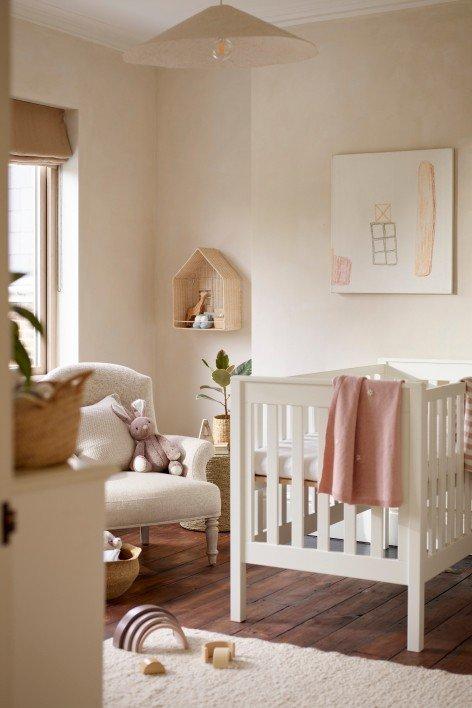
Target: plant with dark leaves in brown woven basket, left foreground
x,y
46,414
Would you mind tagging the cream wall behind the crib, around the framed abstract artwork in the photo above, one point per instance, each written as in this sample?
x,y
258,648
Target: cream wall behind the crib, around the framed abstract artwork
x,y
388,82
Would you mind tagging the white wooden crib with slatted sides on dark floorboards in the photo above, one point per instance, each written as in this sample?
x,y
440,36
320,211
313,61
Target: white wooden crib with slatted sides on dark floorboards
x,y
277,442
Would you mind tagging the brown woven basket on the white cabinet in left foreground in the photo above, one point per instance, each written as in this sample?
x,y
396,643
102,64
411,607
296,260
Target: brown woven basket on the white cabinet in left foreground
x,y
46,429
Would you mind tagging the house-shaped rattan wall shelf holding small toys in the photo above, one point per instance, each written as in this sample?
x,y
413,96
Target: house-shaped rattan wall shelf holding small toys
x,y
208,271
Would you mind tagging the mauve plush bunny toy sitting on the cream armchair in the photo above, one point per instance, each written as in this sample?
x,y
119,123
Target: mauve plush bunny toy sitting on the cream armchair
x,y
153,452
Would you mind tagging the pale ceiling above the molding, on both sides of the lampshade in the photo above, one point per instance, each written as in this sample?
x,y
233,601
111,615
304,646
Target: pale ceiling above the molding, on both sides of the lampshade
x,y
122,23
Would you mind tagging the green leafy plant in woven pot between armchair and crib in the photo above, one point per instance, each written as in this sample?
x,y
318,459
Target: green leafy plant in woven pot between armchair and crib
x,y
221,376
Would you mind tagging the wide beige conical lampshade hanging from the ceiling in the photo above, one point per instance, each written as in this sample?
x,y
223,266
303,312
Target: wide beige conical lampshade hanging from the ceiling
x,y
189,44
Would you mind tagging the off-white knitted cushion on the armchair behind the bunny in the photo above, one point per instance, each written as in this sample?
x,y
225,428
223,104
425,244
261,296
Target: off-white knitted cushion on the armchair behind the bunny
x,y
103,437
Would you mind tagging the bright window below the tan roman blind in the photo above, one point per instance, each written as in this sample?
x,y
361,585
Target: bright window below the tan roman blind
x,y
32,241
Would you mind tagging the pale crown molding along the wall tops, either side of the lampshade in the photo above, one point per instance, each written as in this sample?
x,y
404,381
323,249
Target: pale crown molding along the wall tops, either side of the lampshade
x,y
89,28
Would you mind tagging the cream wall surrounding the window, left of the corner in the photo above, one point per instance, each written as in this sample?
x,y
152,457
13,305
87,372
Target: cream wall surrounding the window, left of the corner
x,y
116,105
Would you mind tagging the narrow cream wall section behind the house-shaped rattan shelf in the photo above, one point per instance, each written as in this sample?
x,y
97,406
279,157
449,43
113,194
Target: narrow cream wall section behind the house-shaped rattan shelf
x,y
204,197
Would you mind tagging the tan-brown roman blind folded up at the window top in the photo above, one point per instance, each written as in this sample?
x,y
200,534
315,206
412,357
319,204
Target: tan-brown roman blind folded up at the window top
x,y
38,134
